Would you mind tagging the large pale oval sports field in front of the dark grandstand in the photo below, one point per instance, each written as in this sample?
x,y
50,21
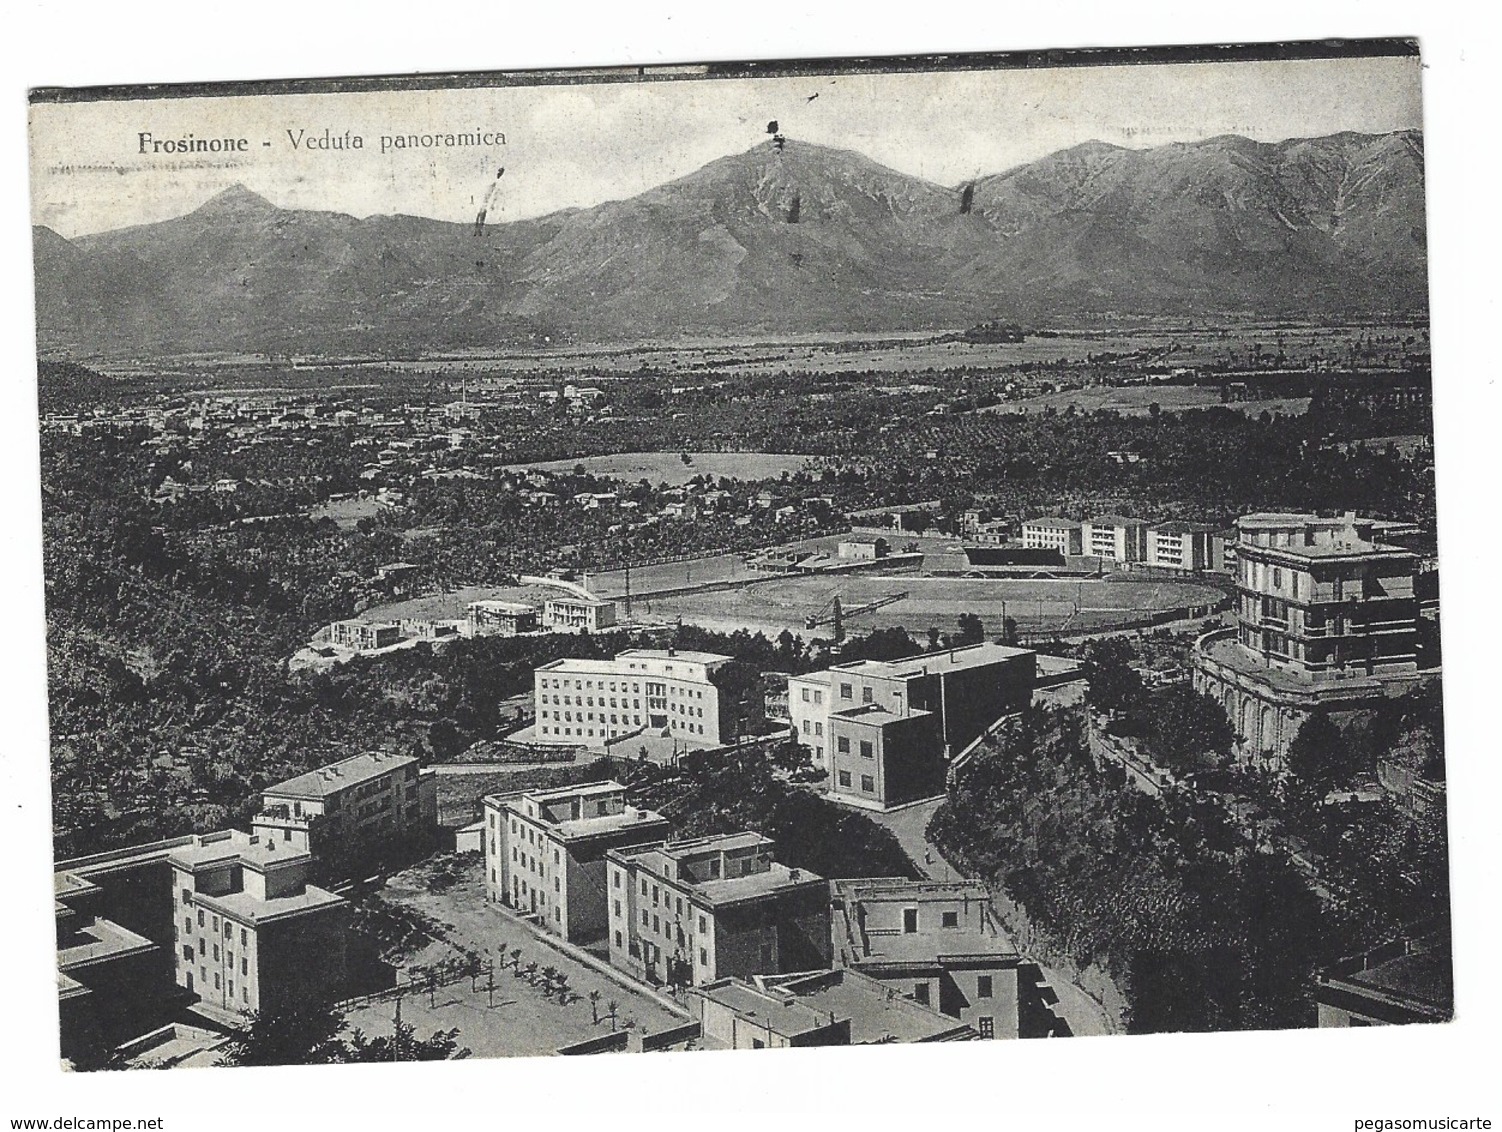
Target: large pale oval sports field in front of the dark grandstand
x,y
932,603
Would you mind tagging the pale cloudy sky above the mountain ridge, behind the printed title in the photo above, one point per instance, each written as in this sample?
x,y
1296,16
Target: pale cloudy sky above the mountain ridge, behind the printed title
x,y
582,145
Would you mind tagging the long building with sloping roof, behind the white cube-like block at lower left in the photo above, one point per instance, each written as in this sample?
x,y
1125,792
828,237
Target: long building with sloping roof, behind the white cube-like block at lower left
x,y
349,810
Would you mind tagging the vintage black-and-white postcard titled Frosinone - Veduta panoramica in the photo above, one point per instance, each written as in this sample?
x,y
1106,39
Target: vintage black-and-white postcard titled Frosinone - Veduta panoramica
x,y
741,556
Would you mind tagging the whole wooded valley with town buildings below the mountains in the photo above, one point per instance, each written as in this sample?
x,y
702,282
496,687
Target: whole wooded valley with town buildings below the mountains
x,y
466,726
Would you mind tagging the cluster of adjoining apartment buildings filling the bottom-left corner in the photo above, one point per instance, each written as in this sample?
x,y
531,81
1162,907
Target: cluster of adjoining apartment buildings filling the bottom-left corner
x,y
231,923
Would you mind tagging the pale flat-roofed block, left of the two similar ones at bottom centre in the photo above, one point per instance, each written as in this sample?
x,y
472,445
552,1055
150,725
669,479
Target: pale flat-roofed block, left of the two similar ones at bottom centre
x,y
546,852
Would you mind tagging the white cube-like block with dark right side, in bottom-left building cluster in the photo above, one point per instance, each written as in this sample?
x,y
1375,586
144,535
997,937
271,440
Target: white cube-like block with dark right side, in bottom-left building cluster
x,y
253,933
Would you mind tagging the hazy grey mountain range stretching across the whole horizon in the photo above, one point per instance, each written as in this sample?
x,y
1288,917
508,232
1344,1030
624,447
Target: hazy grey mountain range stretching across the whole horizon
x,y
795,239
